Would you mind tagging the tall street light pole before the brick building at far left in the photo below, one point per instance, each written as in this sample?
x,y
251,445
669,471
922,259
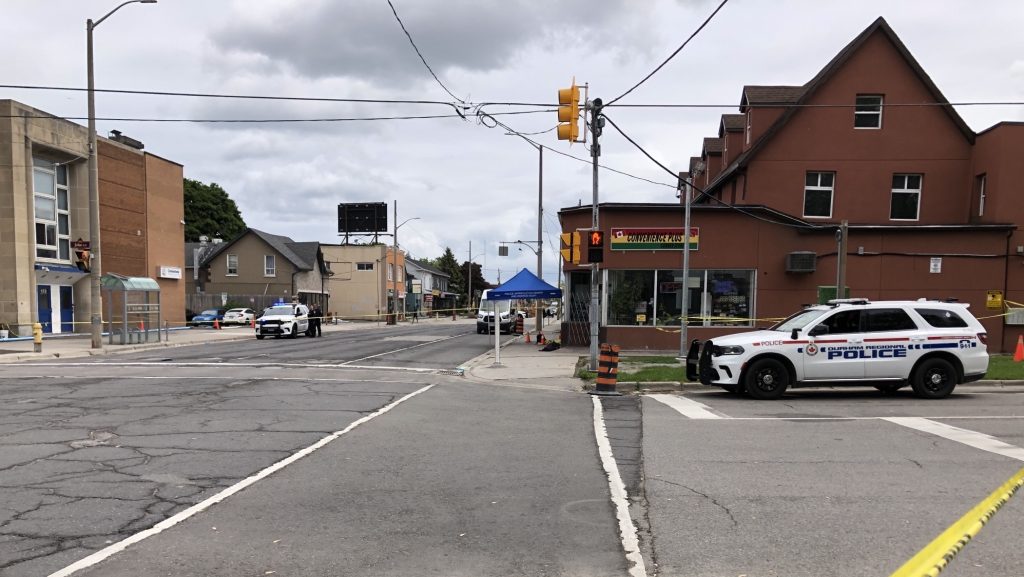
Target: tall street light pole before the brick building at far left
x,y
96,320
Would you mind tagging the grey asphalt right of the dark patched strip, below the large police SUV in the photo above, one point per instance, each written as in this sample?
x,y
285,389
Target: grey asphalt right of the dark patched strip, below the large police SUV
x,y
821,484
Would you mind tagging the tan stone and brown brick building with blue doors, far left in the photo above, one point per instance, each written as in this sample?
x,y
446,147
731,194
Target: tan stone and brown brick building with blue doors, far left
x,y
45,213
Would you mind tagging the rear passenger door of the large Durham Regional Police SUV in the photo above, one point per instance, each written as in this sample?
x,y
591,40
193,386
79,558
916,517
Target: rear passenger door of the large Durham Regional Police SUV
x,y
888,336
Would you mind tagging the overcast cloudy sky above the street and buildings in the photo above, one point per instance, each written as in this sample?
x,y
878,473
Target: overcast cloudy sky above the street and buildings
x,y
465,182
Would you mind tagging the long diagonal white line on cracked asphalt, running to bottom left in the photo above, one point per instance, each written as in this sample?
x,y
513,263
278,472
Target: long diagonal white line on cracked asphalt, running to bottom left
x,y
201,507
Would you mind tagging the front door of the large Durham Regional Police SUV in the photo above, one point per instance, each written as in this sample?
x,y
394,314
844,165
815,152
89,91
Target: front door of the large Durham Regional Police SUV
x,y
834,349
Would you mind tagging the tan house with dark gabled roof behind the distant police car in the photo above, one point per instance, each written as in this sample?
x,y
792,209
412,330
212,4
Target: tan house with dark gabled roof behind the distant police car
x,y
260,267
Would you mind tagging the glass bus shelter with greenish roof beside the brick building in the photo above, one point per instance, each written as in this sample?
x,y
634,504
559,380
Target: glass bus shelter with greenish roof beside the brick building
x,y
133,309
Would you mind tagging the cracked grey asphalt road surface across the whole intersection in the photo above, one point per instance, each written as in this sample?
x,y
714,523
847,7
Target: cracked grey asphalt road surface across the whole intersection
x,y
357,455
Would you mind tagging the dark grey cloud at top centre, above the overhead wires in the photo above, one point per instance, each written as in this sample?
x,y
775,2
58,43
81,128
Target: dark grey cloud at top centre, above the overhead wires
x,y
363,40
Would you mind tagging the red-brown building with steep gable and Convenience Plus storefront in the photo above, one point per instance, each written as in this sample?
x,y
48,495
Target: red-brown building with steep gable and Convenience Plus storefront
x,y
932,209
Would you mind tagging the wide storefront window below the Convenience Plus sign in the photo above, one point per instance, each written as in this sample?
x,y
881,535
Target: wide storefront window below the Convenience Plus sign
x,y
656,298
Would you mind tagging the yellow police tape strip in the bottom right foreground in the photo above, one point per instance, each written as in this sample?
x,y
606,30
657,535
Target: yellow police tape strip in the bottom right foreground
x,y
937,555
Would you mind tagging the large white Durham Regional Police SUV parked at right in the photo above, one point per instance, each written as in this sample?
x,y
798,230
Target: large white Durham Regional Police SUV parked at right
x,y
929,345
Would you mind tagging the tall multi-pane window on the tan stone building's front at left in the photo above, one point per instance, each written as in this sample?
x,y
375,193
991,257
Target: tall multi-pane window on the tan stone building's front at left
x,y
51,203
